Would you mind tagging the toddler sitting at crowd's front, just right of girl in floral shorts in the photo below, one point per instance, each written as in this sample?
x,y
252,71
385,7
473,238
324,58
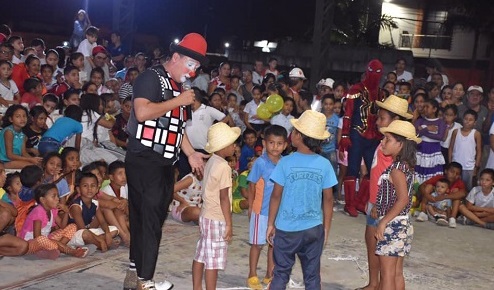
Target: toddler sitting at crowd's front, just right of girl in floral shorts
x,y
440,210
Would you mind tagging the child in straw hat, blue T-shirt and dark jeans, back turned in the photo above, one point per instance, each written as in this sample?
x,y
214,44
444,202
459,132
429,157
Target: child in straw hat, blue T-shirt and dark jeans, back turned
x,y
301,205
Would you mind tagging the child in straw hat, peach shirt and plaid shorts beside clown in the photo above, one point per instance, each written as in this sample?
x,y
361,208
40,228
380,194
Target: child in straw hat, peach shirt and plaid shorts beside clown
x,y
215,222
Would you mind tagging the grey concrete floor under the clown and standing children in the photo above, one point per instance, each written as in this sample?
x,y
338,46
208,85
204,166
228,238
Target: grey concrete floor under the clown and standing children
x,y
441,258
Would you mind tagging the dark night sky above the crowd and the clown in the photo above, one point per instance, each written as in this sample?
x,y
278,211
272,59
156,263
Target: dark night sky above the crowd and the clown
x,y
221,20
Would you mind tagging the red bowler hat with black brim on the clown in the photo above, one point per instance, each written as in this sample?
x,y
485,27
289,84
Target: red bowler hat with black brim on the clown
x,y
192,45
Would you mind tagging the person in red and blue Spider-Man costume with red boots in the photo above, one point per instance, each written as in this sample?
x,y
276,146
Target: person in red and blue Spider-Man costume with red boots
x,y
360,136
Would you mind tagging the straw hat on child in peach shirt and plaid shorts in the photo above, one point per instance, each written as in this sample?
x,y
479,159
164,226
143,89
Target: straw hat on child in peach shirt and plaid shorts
x,y
220,135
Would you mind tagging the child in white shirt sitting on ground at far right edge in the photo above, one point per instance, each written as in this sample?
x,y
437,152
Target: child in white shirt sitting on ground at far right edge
x,y
479,204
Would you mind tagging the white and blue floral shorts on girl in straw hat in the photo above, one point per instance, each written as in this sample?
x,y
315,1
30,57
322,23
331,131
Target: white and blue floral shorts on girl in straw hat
x,y
398,236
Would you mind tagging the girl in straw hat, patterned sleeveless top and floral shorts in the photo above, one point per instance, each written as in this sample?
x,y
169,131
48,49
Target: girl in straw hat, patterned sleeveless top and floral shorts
x,y
394,232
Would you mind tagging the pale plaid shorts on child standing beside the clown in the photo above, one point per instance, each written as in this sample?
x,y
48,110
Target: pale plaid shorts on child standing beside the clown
x,y
211,248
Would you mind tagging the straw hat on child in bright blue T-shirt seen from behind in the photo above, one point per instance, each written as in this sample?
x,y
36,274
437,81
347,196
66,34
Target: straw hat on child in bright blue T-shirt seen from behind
x,y
312,124
